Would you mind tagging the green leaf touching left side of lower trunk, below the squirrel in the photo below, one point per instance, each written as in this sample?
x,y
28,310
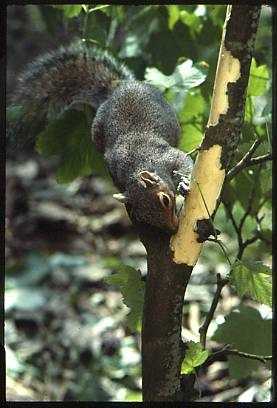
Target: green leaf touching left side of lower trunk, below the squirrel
x,y
131,286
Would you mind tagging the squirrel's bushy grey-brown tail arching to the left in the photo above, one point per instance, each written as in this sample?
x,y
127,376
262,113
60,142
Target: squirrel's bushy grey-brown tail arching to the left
x,y
73,75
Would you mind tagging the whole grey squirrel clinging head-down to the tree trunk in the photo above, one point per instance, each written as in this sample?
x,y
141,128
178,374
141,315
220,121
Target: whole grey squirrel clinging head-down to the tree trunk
x,y
134,127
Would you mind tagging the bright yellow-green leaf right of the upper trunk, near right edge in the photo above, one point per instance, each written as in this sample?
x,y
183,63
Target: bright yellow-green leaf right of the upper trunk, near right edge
x,y
258,80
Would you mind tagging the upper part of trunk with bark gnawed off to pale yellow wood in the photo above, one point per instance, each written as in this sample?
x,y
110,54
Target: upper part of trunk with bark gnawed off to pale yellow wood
x,y
222,131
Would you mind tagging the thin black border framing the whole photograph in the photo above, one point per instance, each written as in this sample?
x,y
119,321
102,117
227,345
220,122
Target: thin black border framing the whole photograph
x,y
3,31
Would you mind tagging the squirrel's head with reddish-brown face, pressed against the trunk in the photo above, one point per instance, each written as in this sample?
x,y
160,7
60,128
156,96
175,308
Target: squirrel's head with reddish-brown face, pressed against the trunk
x,y
151,201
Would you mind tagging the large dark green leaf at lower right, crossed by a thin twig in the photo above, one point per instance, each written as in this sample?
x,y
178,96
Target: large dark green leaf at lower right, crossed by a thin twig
x,y
245,330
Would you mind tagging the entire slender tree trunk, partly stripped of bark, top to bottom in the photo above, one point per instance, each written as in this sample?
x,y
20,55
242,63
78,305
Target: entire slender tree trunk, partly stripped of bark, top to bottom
x,y
169,273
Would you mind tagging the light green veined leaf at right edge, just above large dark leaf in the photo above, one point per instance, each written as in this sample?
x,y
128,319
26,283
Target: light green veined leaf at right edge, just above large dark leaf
x,y
253,279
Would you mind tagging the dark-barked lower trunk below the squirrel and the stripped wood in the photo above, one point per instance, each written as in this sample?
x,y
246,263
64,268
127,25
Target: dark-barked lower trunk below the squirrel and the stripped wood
x,y
162,347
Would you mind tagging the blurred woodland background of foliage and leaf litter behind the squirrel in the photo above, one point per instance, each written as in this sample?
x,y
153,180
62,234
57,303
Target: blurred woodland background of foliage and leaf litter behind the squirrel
x,y
66,334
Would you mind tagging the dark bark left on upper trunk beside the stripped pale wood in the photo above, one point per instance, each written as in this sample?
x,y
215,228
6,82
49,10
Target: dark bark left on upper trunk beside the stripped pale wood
x,y
239,40
